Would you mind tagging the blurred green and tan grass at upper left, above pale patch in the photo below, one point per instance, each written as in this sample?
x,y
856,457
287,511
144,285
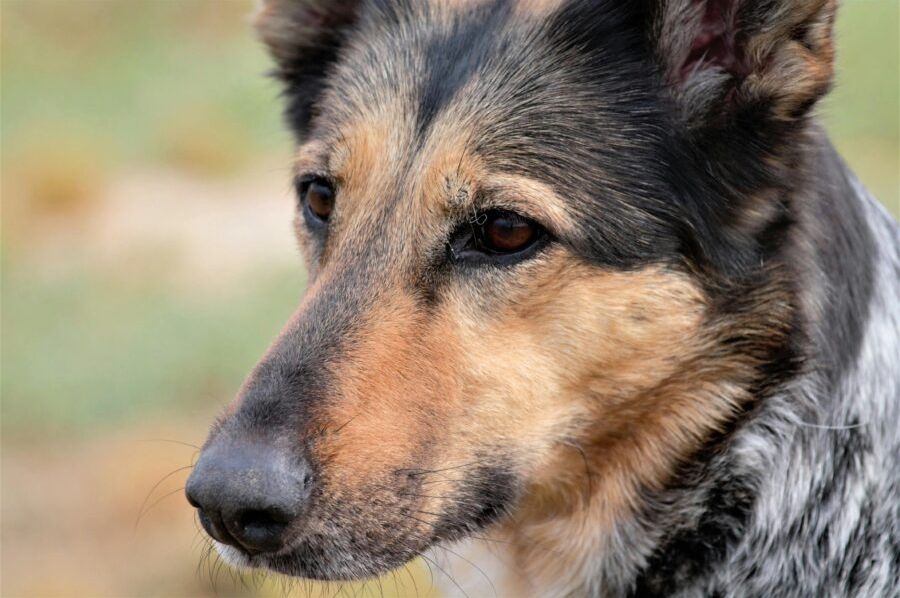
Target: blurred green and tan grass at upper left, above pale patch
x,y
147,81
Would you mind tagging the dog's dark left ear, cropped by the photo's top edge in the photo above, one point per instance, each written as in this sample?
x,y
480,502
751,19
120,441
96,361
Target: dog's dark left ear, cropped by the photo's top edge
x,y
304,38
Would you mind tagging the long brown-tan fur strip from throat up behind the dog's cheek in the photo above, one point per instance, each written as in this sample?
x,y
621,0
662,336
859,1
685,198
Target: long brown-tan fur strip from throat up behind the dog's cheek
x,y
632,444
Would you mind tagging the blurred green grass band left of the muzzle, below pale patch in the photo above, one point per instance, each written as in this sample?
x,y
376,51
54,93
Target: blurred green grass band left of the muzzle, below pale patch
x,y
91,350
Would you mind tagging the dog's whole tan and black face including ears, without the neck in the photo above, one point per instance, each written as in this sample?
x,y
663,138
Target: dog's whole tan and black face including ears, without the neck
x,y
518,219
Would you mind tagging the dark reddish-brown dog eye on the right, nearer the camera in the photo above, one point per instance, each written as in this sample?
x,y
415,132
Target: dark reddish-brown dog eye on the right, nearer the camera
x,y
499,236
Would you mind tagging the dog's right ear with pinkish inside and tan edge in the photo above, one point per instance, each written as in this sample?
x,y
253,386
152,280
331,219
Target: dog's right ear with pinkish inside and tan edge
x,y
771,59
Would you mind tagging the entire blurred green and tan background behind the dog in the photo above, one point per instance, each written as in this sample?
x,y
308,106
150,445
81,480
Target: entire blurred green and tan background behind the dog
x,y
147,261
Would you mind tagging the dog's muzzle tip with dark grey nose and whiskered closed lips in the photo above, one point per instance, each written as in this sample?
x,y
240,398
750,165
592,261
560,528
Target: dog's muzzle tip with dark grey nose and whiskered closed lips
x,y
268,508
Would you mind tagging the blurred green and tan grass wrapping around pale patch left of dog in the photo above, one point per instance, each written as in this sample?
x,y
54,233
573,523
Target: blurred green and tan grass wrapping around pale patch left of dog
x,y
91,89
